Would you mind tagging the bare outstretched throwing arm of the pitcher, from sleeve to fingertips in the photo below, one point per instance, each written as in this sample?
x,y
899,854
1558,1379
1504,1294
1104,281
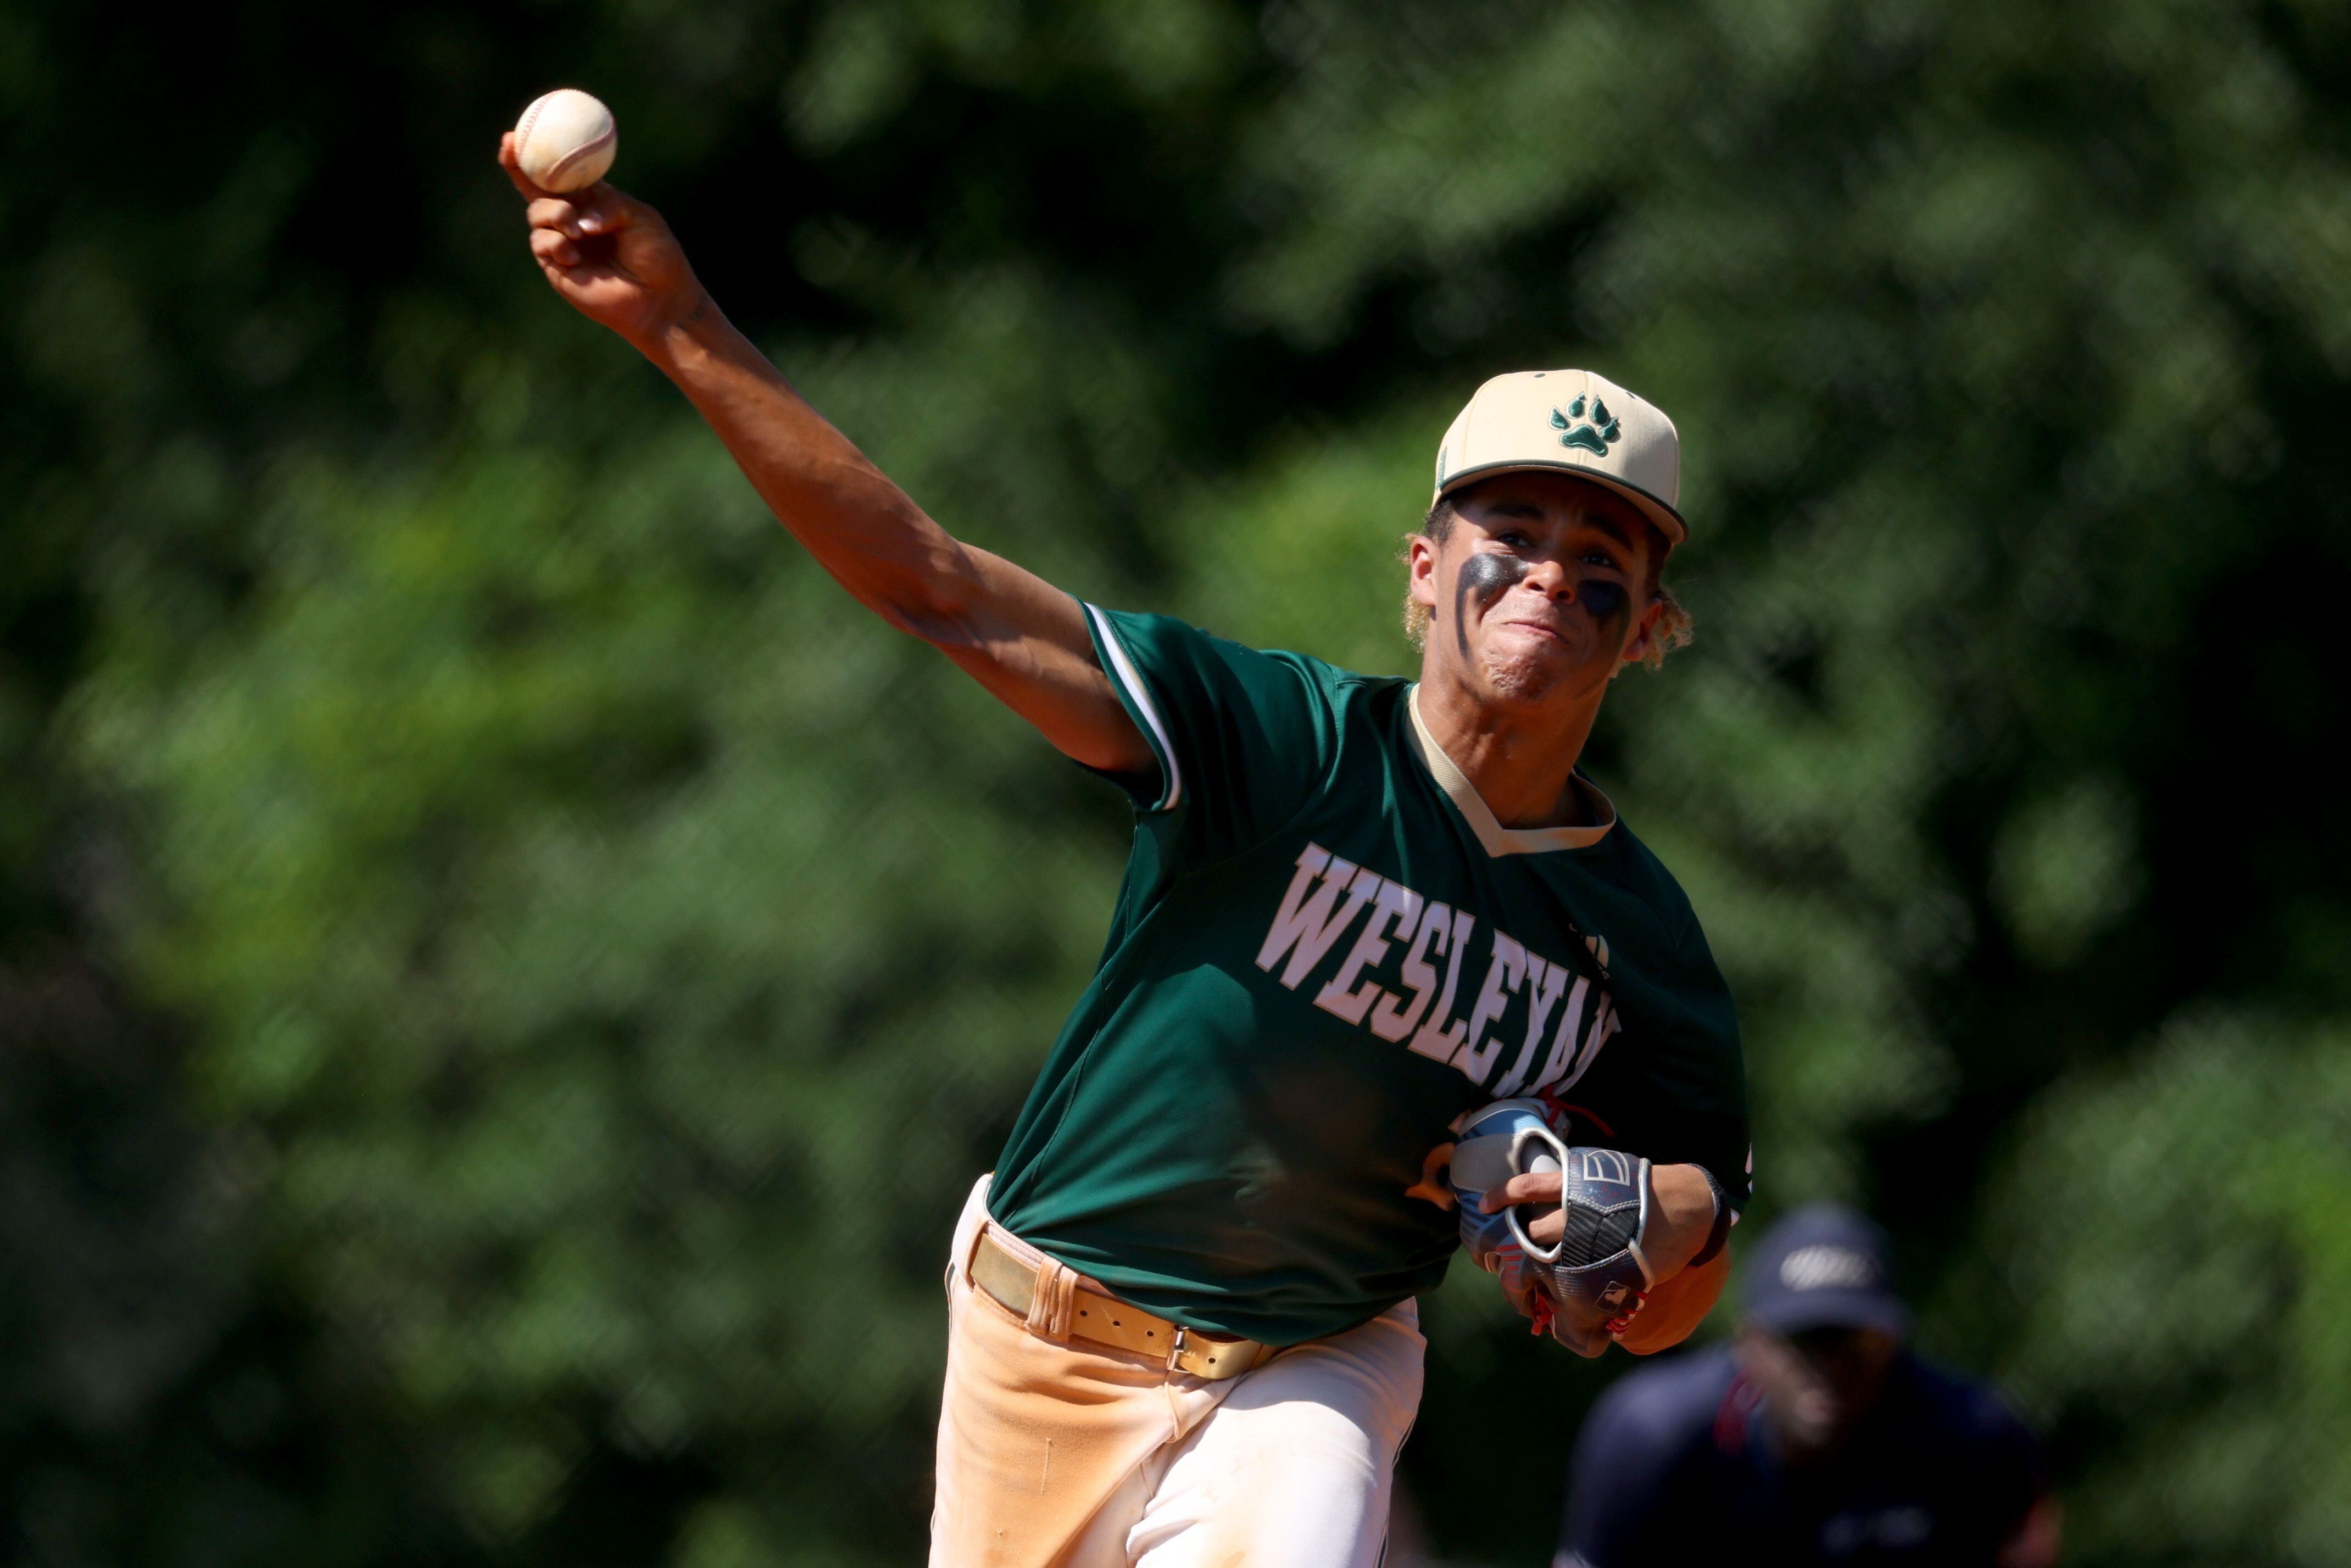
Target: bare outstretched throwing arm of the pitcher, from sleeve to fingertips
x,y
619,264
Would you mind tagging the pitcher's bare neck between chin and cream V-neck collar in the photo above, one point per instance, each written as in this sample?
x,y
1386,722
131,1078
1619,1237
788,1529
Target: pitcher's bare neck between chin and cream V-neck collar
x,y
1518,756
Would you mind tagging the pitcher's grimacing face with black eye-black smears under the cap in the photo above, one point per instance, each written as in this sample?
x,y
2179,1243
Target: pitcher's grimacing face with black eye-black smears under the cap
x,y
1541,587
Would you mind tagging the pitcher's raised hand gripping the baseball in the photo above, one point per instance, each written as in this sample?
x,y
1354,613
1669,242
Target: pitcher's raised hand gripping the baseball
x,y
608,255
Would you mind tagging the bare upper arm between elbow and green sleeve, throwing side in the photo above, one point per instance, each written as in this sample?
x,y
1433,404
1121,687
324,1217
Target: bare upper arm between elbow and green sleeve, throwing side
x,y
1029,645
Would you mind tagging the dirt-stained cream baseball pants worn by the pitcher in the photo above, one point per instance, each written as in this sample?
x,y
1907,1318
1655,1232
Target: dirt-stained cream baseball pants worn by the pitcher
x,y
1078,1456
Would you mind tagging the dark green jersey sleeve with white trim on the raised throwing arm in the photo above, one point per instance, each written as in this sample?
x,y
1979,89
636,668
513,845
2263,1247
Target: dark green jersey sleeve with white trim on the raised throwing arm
x,y
1243,739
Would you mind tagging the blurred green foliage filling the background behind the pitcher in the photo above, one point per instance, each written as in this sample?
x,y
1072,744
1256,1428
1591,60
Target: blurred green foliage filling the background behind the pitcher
x,y
507,974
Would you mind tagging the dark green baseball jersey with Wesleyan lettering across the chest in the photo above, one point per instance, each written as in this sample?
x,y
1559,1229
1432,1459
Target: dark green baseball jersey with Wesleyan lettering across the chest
x,y
1325,953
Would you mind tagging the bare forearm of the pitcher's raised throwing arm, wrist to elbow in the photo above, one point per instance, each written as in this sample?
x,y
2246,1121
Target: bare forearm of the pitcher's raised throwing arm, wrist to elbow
x,y
833,500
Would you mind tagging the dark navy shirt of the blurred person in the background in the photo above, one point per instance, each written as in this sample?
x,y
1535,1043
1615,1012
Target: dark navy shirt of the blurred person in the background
x,y
1677,1466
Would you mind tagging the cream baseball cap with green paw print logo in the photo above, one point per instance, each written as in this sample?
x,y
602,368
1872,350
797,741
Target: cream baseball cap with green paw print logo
x,y
1574,422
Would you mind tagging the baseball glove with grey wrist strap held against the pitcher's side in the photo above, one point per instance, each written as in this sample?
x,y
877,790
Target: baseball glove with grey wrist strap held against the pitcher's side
x,y
1588,1275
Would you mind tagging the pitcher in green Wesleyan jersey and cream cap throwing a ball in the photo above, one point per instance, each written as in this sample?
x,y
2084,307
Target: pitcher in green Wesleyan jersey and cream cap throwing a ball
x,y
1358,911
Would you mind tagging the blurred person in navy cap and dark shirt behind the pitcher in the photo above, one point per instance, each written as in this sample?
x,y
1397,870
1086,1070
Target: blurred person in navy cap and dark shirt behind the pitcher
x,y
1816,1438
